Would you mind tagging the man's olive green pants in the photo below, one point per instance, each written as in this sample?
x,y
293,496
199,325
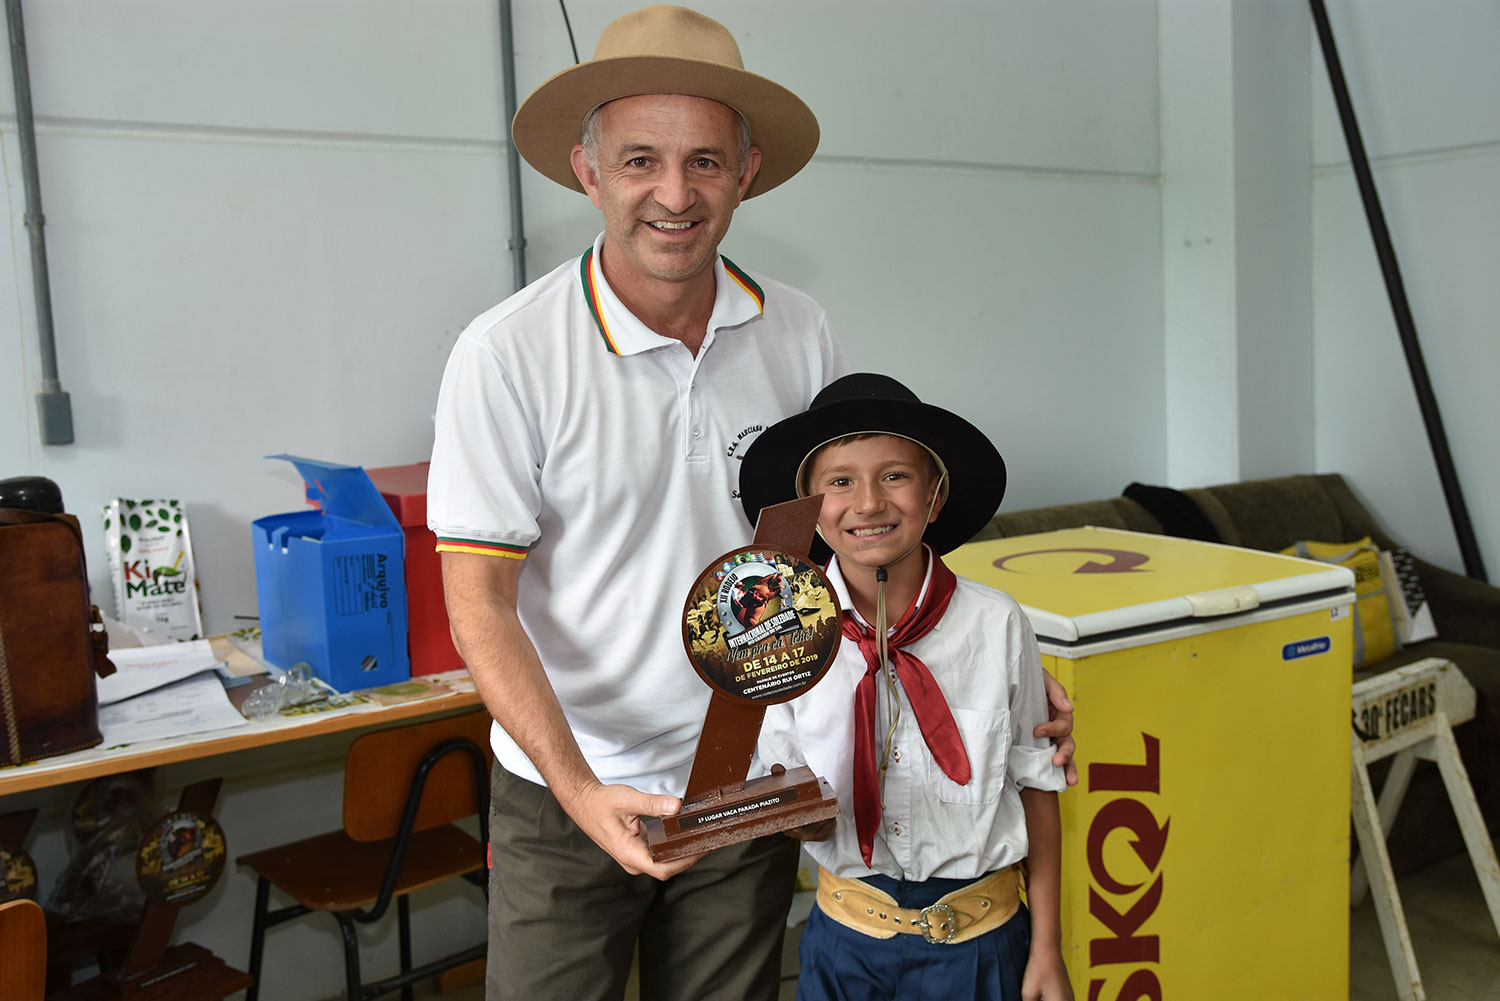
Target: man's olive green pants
x,y
566,921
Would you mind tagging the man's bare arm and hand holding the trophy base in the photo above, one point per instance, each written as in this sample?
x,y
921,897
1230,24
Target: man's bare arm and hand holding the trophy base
x,y
508,673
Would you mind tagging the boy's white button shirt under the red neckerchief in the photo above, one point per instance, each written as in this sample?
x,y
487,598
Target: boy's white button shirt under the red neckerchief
x,y
985,657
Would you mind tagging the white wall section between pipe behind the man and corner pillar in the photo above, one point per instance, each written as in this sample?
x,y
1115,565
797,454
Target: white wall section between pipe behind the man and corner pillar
x,y
982,218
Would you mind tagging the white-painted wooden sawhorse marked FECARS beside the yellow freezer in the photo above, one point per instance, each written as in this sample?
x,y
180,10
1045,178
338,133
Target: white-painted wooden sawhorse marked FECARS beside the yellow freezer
x,y
1411,714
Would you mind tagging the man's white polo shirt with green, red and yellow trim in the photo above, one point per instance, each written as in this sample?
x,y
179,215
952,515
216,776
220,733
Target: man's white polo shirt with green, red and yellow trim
x,y
608,458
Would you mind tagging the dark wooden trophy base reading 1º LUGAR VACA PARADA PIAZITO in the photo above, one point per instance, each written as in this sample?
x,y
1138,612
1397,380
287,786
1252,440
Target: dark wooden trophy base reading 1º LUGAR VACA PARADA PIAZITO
x,y
740,811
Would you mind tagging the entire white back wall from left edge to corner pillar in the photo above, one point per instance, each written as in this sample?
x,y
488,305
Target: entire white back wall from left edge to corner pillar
x,y
269,221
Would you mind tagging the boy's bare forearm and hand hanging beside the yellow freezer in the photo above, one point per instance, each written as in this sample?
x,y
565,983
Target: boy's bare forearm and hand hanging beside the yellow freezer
x,y
1046,978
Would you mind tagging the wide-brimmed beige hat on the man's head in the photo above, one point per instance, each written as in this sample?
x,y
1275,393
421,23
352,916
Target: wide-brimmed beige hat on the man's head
x,y
665,50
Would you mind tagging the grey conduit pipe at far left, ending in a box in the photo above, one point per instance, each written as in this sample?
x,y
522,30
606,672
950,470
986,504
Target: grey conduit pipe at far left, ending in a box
x,y
53,409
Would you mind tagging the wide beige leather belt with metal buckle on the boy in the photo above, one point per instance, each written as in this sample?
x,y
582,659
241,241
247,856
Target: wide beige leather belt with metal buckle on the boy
x,y
956,918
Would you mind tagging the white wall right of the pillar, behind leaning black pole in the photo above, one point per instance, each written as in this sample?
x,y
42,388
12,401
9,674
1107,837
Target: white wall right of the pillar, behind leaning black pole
x,y
1426,85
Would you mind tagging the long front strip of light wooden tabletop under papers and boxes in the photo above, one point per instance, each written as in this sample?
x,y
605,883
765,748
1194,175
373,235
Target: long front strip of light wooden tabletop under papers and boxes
x,y
100,762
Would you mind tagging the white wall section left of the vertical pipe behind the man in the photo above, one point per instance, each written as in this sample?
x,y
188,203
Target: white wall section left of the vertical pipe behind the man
x,y
268,224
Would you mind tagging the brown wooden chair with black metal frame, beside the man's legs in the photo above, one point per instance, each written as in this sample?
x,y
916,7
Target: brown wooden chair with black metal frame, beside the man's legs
x,y
403,790
